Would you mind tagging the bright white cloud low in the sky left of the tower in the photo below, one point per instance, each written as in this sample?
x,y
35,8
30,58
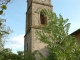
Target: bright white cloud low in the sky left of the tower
x,y
16,43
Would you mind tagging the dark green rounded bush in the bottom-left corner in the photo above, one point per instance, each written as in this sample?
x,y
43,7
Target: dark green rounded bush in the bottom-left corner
x,y
6,54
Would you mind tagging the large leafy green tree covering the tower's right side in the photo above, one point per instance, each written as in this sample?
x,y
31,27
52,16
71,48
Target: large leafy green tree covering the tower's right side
x,y
61,45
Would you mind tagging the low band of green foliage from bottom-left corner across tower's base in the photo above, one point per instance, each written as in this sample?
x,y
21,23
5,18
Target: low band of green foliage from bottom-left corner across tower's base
x,y
6,54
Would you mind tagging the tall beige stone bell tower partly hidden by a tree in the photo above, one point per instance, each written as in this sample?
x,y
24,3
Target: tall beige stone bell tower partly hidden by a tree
x,y
33,20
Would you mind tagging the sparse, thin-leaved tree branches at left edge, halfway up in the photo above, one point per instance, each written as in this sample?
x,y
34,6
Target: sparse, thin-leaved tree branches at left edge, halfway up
x,y
4,32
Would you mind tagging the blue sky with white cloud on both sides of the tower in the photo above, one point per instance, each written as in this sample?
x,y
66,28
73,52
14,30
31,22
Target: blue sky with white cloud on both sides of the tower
x,y
16,17
